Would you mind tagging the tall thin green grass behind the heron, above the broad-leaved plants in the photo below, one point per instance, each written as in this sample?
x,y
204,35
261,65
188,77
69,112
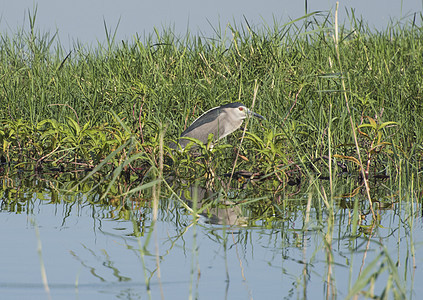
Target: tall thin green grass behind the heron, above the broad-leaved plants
x,y
173,79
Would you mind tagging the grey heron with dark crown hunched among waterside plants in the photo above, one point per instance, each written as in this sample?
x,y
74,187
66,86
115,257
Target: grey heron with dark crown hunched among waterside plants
x,y
220,121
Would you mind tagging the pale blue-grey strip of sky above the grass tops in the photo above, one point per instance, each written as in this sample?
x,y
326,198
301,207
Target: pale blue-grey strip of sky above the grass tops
x,y
82,20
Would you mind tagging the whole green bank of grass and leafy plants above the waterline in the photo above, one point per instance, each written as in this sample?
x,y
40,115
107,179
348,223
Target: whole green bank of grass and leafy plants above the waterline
x,y
347,93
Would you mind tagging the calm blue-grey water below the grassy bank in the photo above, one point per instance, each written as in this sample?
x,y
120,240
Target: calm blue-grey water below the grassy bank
x,y
88,252
